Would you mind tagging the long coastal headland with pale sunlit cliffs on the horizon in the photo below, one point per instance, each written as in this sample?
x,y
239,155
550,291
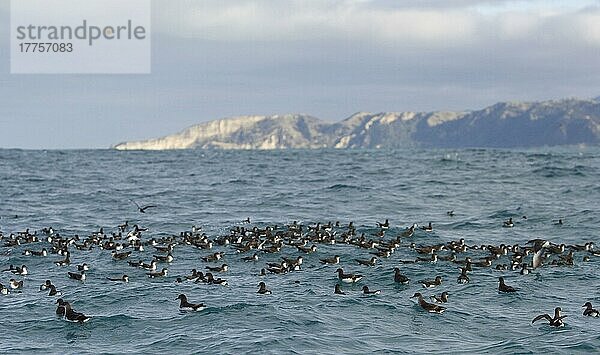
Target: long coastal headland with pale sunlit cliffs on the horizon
x,y
504,125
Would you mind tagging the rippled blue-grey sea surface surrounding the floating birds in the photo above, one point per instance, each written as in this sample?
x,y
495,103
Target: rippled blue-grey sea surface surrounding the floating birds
x,y
77,192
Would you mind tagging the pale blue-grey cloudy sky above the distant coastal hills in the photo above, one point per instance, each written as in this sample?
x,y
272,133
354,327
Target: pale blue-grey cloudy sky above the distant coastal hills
x,y
214,59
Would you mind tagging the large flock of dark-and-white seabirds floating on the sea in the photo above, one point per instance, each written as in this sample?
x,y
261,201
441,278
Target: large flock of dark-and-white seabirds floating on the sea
x,y
251,243
